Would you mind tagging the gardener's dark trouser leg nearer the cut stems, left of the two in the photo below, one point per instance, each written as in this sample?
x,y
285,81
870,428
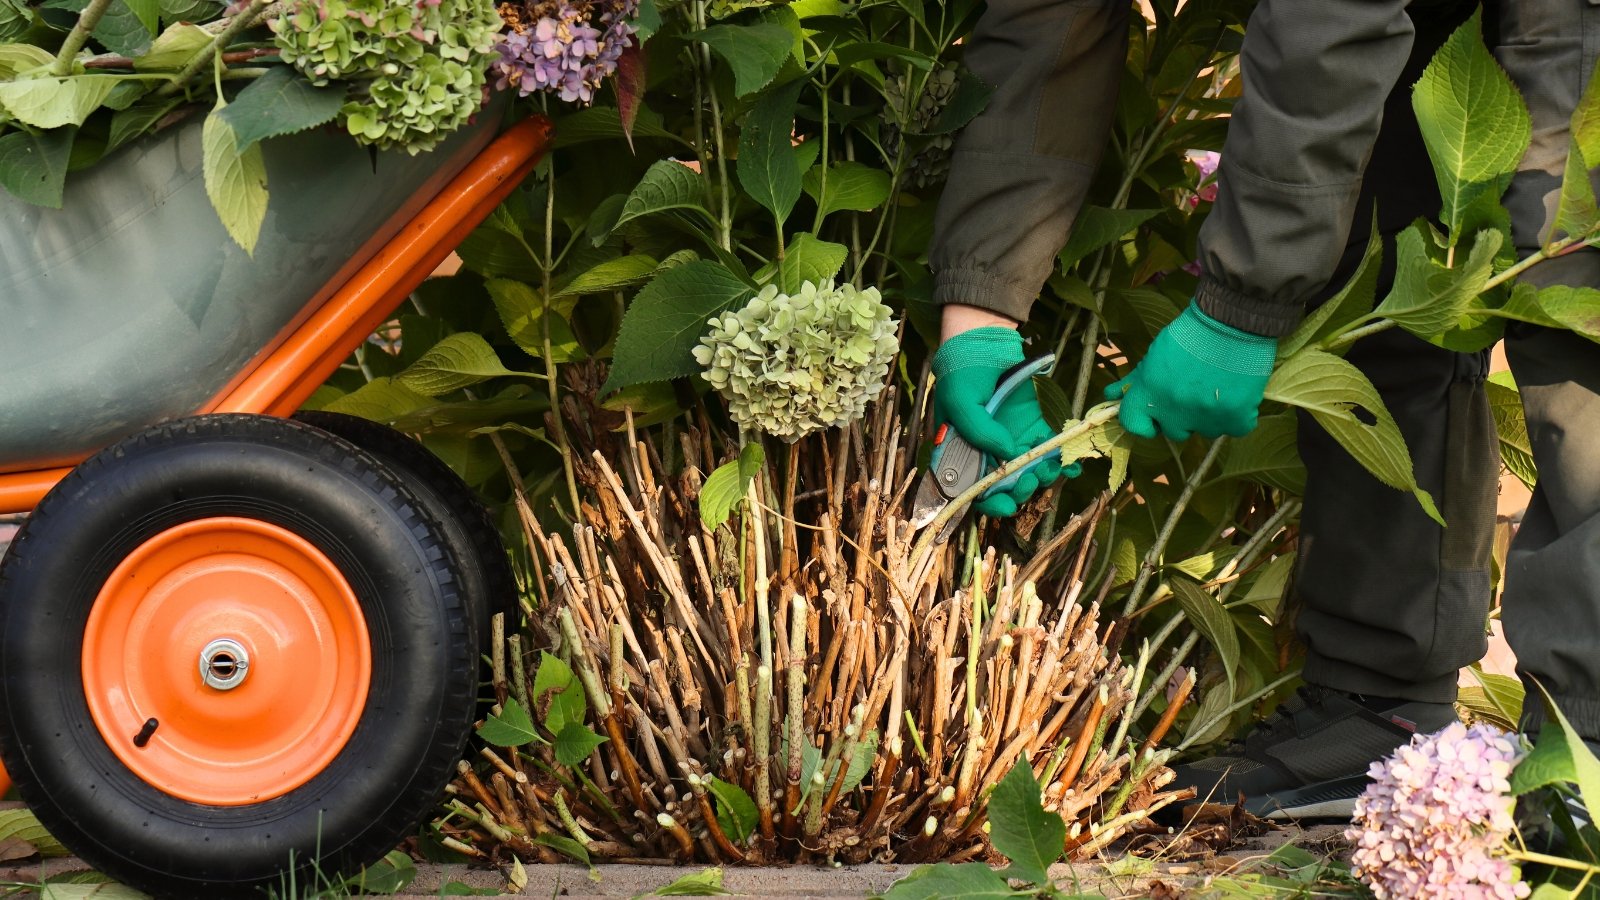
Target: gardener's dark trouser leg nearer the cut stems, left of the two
x,y
1390,603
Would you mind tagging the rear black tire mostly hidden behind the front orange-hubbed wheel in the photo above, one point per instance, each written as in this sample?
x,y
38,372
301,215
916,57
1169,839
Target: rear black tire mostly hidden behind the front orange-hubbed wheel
x,y
487,577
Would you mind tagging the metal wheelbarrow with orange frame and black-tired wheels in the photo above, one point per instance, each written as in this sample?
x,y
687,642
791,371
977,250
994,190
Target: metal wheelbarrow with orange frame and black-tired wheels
x,y
238,646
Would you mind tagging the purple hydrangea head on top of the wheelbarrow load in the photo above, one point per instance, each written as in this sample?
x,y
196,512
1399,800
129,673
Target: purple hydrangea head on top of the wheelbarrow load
x,y
564,47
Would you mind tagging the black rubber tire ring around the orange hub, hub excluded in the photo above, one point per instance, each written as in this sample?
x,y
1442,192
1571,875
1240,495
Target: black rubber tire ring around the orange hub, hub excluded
x,y
396,558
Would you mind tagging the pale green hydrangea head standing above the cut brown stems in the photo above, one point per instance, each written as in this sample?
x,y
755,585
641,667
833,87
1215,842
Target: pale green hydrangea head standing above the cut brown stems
x,y
794,364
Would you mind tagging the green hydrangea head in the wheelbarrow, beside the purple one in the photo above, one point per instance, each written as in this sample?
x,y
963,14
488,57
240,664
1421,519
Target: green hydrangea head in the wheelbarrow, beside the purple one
x,y
418,66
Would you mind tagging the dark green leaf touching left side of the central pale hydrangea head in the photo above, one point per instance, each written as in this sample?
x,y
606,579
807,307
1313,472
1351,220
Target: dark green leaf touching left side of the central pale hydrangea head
x,y
666,321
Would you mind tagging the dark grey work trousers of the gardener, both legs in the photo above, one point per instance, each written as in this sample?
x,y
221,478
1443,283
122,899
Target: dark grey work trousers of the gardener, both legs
x,y
1393,605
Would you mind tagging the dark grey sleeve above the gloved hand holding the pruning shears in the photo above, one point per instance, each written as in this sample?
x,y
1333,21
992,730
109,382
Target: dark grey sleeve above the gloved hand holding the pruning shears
x,y
1022,169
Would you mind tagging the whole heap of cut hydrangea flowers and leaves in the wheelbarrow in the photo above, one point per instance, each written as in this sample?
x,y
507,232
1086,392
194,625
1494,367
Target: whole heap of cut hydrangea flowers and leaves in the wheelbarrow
x,y
82,79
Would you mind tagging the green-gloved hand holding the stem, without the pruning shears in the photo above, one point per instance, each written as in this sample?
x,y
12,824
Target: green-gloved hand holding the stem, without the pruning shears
x,y
1199,377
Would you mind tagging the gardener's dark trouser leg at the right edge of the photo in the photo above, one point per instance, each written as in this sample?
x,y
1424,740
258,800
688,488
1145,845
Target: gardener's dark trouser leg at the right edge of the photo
x,y
1553,581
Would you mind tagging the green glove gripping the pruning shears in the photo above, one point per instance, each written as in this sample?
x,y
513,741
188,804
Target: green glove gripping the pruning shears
x,y
967,369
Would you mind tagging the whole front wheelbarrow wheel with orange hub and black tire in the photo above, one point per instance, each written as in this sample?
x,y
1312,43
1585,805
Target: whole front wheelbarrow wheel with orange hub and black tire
x,y
233,651
